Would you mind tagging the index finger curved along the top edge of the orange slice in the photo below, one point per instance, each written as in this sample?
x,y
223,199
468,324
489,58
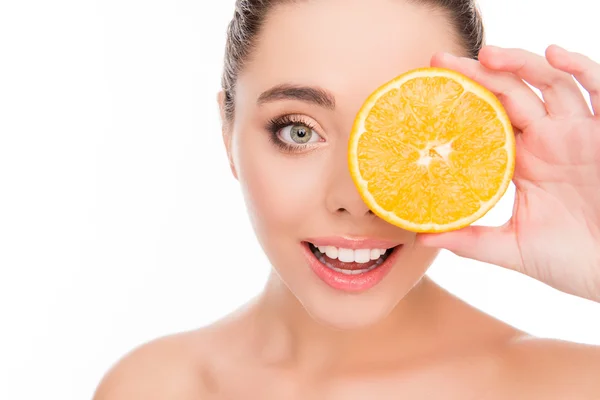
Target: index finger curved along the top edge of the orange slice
x,y
522,105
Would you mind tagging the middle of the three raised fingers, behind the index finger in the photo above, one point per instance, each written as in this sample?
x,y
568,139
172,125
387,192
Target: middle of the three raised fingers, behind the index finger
x,y
560,92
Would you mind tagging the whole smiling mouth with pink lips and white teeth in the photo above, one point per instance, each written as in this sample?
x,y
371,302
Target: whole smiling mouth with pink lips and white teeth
x,y
351,265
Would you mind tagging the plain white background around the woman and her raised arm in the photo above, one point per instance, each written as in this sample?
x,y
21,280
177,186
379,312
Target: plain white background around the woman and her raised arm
x,y
119,220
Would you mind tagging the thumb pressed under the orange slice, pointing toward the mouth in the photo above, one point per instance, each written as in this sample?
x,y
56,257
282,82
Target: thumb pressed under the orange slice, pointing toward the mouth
x,y
490,245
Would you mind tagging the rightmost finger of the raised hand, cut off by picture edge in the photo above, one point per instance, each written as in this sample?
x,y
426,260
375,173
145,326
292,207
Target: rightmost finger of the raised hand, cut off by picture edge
x,y
585,70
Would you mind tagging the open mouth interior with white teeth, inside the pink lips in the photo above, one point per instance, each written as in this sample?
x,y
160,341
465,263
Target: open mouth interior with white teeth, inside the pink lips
x,y
350,261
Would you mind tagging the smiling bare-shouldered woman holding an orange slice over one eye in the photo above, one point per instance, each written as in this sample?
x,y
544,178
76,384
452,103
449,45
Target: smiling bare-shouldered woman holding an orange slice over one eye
x,y
296,73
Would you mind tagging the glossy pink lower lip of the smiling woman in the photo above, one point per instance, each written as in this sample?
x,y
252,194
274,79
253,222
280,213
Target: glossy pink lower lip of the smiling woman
x,y
350,283
